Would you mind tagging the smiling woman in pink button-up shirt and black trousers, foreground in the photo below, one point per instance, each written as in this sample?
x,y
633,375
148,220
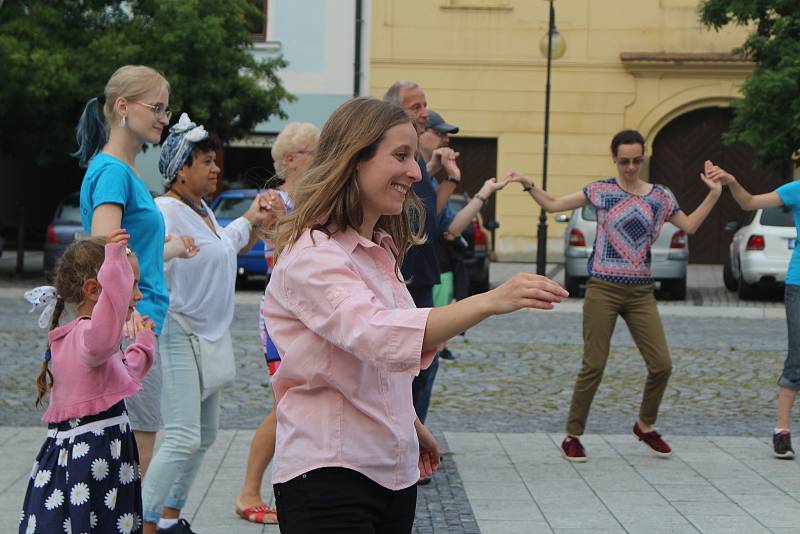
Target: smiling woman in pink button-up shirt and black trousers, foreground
x,y
350,448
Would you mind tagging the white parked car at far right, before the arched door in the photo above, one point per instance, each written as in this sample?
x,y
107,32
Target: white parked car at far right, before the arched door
x,y
760,252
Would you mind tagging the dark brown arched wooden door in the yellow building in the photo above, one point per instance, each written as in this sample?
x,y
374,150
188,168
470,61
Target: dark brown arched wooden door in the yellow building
x,y
679,152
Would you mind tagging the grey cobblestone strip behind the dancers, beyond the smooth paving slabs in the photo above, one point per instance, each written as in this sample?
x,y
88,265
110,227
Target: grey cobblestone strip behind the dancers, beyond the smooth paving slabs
x,y
512,373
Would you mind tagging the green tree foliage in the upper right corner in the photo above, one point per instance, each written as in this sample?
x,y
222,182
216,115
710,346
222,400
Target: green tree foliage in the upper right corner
x,y
768,117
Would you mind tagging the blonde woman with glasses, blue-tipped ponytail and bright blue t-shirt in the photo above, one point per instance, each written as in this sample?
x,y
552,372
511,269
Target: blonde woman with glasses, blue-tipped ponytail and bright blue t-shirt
x,y
133,110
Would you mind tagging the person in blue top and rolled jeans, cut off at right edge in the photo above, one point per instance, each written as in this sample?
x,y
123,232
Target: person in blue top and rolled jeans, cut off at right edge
x,y
789,382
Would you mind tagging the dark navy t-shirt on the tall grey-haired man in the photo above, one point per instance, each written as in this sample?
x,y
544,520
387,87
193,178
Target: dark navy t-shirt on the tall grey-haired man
x,y
421,264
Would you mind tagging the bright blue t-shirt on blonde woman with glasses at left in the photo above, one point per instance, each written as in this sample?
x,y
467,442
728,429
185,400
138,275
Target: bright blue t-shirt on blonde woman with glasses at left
x,y
111,181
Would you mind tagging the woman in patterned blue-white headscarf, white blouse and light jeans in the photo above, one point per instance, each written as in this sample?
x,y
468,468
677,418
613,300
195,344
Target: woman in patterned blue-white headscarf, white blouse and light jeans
x,y
201,306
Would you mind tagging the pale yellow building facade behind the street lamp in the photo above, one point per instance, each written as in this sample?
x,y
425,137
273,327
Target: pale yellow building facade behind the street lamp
x,y
638,64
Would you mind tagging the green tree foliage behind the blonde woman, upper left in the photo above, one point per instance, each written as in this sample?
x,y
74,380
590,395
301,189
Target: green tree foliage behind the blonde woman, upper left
x,y
56,55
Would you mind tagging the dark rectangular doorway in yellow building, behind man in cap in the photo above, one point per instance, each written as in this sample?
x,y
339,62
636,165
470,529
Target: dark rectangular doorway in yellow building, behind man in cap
x,y
478,163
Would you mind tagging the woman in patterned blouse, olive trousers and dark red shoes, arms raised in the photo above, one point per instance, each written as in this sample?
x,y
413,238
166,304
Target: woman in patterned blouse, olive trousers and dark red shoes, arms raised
x,y
630,214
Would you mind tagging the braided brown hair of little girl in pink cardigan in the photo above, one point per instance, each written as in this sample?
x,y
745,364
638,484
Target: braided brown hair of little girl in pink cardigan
x,y
80,261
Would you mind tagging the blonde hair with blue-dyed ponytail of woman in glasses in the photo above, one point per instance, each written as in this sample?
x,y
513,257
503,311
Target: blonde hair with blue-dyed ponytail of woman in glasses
x,y
129,82
